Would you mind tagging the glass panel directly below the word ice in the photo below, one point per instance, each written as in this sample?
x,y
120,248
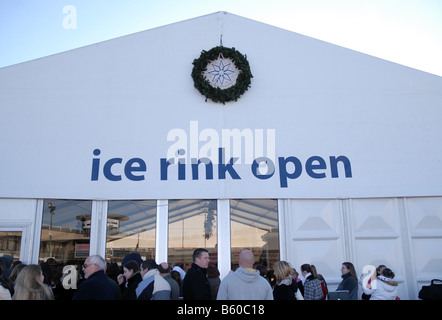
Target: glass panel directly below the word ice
x,y
131,228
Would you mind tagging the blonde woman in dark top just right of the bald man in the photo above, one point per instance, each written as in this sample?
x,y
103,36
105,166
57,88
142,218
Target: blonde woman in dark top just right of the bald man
x,y
286,287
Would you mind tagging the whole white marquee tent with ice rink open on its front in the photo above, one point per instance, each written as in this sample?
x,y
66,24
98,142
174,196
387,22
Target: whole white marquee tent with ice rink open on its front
x,y
348,143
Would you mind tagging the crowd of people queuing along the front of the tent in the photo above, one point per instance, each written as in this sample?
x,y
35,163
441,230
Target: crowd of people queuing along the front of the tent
x,y
138,279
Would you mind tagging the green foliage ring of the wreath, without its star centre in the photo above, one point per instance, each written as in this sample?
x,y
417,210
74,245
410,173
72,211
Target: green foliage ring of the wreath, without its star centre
x,y
216,94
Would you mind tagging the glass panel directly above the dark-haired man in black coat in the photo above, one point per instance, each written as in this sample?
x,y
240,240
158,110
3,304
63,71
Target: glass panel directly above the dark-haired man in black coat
x,y
192,225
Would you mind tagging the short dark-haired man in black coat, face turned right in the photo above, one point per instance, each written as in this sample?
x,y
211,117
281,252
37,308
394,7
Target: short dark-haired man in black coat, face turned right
x,y
196,285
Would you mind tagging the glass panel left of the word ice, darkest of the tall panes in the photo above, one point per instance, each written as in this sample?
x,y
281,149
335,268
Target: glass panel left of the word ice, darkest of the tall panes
x,y
65,231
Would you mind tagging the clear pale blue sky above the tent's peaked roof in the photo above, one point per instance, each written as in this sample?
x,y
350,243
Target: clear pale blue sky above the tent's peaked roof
x,y
408,32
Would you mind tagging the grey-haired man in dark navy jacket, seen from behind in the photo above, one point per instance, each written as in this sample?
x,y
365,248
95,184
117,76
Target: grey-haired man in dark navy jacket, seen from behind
x,y
97,286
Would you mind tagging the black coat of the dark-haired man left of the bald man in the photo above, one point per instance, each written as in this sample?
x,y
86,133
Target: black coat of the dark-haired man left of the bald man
x,y
196,285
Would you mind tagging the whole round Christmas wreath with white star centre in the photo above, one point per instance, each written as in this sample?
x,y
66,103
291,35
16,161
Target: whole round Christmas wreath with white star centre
x,y
221,74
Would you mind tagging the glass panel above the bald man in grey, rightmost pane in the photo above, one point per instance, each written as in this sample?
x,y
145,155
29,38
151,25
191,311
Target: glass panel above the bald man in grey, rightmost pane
x,y
254,226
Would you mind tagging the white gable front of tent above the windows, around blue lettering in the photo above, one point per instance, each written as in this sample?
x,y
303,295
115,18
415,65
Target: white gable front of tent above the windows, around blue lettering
x,y
126,96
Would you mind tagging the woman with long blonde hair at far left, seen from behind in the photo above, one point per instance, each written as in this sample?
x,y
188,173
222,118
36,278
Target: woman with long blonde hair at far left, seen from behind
x,y
29,285
